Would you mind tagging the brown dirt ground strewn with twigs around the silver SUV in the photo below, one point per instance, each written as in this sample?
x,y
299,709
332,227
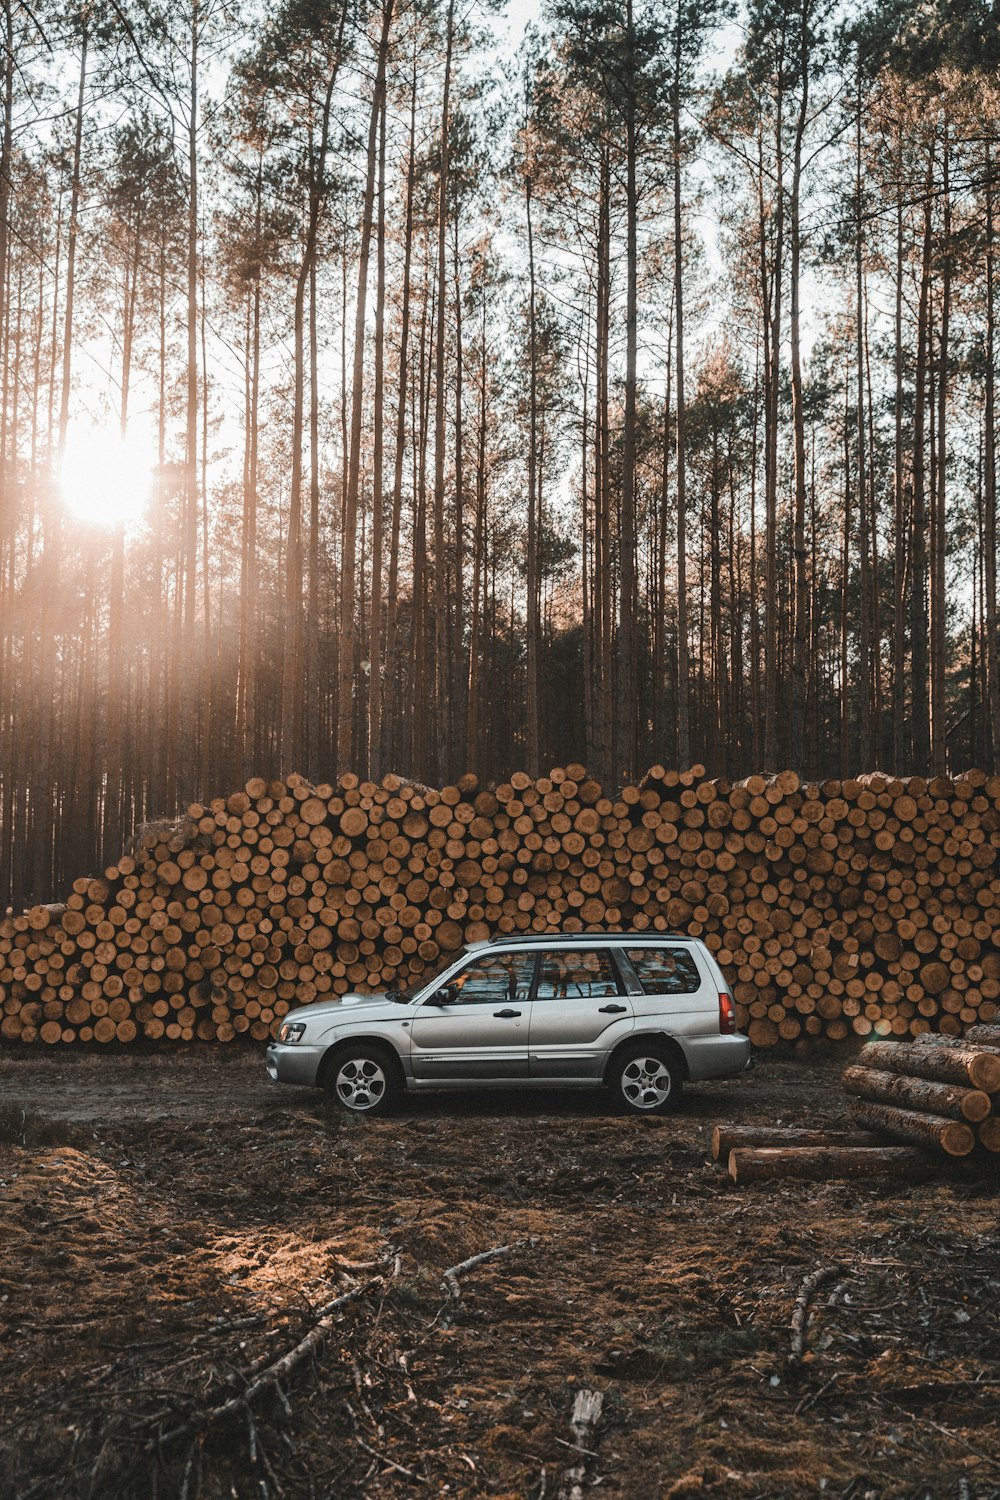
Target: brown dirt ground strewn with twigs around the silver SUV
x,y
173,1226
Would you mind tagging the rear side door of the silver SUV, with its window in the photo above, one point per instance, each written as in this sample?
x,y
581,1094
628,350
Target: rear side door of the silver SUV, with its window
x,y
579,1013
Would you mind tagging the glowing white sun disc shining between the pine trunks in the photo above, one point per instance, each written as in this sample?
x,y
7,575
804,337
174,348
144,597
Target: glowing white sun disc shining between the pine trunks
x,y
107,479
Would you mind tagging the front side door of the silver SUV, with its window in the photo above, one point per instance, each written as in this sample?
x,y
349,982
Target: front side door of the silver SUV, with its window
x,y
482,1030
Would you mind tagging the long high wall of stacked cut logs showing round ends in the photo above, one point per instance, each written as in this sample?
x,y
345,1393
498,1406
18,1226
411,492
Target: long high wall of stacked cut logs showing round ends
x,y
869,907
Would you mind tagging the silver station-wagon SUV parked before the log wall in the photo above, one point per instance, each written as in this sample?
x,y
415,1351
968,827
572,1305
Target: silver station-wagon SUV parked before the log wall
x,y
635,1012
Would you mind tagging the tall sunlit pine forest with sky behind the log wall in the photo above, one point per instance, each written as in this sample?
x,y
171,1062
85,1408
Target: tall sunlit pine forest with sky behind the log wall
x,y
401,388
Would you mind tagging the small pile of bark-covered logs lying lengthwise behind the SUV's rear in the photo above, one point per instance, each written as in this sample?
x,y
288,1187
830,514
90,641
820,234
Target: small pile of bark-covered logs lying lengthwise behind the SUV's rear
x,y
939,1093
